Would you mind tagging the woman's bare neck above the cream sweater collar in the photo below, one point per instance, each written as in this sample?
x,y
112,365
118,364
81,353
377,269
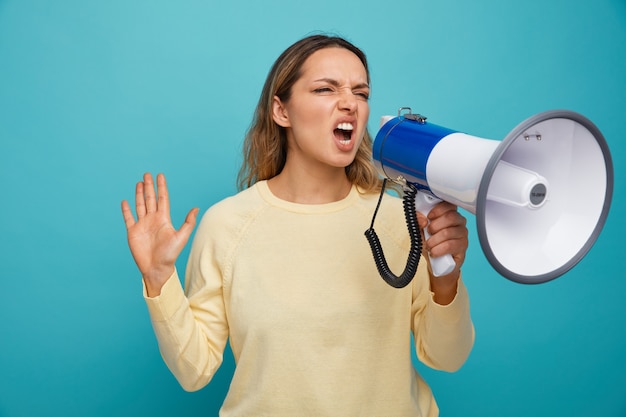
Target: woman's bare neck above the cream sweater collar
x,y
298,186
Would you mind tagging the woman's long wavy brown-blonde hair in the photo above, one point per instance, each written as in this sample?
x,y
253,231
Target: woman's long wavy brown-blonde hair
x,y
265,143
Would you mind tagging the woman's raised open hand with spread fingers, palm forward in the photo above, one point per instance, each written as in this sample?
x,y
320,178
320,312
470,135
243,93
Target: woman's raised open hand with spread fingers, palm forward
x,y
154,242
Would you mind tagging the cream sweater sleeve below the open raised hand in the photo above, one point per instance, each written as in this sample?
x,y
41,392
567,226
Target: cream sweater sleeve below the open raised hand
x,y
190,325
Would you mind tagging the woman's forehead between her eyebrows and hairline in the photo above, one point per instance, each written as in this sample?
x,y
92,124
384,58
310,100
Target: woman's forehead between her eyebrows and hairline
x,y
336,63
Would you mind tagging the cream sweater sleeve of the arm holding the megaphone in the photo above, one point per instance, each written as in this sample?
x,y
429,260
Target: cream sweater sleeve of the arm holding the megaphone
x,y
444,335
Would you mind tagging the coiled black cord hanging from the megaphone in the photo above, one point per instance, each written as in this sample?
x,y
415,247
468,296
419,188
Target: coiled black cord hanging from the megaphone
x,y
415,251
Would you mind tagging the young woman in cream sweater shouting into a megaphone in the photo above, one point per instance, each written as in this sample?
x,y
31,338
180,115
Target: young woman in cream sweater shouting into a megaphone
x,y
284,271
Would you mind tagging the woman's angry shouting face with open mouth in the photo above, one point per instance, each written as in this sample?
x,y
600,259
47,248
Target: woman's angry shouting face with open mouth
x,y
326,115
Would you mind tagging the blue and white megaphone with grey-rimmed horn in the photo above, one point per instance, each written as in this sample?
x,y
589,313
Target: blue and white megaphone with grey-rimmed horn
x,y
540,196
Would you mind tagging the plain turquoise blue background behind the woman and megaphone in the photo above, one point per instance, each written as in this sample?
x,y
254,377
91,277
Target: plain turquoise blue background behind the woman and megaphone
x,y
93,94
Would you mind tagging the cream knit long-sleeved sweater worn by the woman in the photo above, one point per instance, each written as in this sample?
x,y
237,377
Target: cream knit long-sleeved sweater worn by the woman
x,y
314,329
